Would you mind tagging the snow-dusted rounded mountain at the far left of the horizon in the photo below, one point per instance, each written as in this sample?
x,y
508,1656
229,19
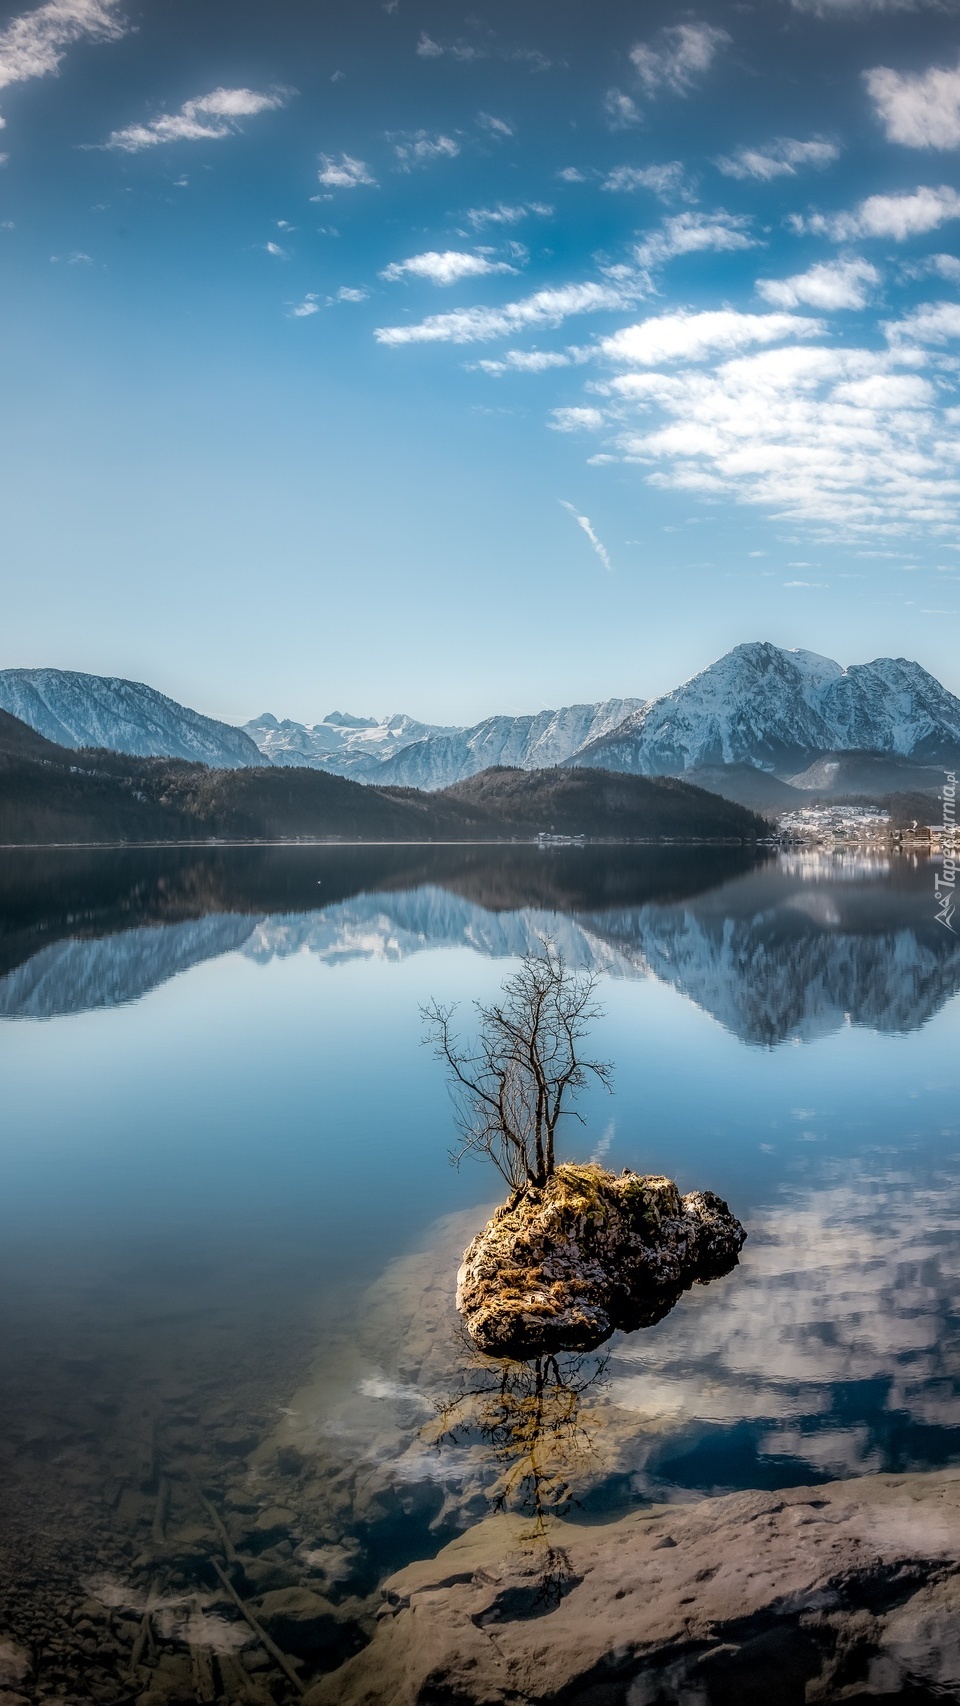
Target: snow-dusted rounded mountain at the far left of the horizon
x,y
81,711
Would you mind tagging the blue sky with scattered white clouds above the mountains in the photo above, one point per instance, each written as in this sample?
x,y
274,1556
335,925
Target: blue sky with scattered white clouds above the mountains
x,y
468,359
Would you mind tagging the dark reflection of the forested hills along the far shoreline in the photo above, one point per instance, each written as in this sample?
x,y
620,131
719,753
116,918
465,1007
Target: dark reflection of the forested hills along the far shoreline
x,y
49,897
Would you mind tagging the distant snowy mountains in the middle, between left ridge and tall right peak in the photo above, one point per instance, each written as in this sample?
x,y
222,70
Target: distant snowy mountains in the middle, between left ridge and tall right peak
x,y
408,755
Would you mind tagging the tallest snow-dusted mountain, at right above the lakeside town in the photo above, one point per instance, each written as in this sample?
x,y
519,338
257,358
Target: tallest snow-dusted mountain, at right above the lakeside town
x,y
768,707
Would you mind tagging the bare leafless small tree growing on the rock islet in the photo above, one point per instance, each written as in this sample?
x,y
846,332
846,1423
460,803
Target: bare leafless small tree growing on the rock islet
x,y
516,1082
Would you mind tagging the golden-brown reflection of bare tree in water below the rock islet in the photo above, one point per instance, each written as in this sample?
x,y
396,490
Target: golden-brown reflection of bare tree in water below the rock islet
x,y
533,1419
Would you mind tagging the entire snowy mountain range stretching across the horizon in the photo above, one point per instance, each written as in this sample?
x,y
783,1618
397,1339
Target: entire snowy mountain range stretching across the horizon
x,y
768,711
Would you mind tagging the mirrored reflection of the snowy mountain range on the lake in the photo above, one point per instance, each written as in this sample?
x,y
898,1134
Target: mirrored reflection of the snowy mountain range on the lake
x,y
792,949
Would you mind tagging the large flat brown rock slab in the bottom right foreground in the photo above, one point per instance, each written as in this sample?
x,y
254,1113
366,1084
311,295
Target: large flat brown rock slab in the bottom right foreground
x,y
838,1593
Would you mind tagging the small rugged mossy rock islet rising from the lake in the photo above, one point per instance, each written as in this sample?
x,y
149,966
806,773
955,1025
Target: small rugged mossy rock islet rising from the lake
x,y
565,1265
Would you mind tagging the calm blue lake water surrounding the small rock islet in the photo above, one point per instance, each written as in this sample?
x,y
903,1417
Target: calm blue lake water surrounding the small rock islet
x,y
229,1229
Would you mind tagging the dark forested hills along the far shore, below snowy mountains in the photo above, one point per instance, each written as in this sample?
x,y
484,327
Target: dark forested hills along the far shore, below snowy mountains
x,y
52,794
